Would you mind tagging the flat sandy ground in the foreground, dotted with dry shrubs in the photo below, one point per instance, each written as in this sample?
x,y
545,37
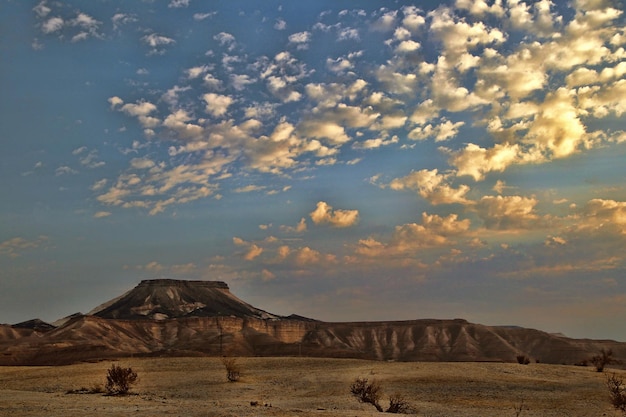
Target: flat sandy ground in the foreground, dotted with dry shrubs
x,y
306,387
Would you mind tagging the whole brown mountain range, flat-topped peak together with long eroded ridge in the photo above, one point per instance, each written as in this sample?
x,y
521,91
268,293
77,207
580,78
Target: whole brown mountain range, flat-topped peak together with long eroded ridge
x,y
190,318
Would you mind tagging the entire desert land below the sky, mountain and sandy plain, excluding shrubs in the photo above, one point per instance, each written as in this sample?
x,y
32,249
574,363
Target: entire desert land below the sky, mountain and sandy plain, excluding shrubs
x,y
177,336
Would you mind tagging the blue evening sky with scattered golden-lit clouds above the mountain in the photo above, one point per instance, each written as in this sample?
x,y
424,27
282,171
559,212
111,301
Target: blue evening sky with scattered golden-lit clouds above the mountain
x,y
341,160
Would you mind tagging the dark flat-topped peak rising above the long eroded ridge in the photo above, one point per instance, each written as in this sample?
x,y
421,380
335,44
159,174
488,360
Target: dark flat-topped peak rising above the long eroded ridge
x,y
167,298
